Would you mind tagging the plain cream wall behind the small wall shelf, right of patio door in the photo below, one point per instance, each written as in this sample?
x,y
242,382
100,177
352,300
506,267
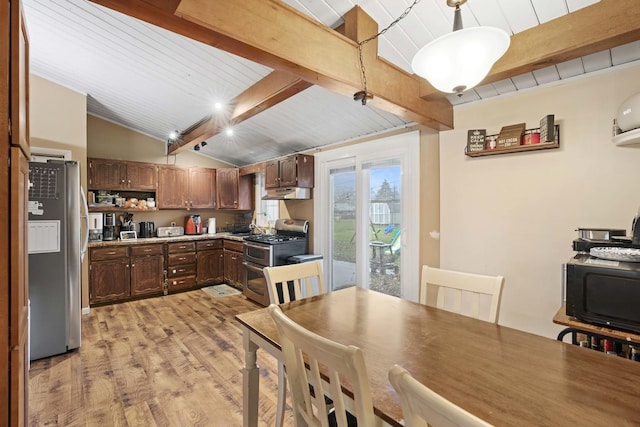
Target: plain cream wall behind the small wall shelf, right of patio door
x,y
516,214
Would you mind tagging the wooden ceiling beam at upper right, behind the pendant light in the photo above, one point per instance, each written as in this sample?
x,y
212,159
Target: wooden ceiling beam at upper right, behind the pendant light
x,y
601,26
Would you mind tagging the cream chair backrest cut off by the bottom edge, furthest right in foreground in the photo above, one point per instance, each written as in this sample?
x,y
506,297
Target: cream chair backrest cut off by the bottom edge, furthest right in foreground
x,y
422,405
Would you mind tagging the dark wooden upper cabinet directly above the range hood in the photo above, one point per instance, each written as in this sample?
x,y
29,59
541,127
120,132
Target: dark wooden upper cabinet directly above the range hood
x,y
296,170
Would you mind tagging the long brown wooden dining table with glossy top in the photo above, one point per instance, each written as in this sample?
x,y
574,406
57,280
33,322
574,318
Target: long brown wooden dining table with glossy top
x,y
504,376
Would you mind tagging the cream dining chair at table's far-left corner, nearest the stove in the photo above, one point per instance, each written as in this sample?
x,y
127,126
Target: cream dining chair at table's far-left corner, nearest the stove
x,y
285,283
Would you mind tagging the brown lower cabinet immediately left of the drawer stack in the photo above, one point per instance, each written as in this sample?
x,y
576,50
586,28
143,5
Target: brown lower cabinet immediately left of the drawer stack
x,y
147,269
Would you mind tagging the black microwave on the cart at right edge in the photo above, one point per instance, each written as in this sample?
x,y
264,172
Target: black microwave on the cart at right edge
x,y
604,292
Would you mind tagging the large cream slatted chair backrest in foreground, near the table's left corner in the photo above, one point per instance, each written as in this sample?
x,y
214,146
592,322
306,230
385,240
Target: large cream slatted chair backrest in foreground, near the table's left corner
x,y
339,362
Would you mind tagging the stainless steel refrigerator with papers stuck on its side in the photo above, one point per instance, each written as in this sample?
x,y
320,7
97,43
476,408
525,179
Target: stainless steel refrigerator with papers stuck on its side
x,y
55,257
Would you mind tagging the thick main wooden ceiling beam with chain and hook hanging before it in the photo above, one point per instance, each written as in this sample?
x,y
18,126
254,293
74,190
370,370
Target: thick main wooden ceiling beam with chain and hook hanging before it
x,y
276,35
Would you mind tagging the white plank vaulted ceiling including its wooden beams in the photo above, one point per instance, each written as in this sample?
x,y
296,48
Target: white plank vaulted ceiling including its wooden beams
x,y
286,78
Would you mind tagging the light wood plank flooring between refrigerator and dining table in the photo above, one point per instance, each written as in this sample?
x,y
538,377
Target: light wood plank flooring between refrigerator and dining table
x,y
169,361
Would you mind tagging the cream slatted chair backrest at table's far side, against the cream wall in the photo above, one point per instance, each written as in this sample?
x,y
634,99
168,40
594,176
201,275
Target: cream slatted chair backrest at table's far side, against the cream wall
x,y
455,284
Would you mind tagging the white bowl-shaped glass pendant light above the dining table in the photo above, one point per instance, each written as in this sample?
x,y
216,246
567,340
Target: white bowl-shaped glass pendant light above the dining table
x,y
460,60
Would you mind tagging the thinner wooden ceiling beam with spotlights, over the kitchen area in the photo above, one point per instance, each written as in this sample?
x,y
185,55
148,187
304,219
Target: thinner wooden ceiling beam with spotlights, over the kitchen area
x,y
267,92
